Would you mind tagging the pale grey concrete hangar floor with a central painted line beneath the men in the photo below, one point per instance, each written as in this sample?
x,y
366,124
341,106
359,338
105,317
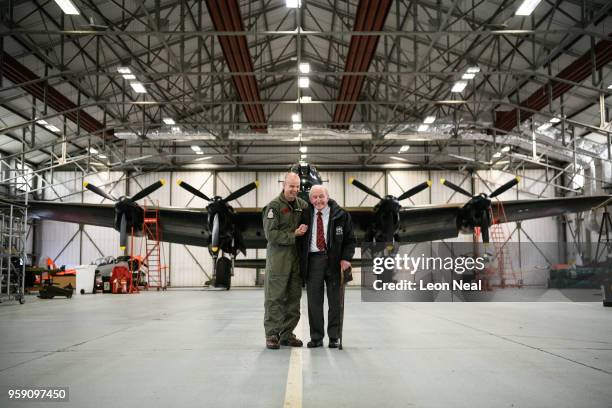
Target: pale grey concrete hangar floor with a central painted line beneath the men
x,y
187,348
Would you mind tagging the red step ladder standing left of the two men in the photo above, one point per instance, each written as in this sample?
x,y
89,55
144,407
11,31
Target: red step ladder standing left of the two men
x,y
152,260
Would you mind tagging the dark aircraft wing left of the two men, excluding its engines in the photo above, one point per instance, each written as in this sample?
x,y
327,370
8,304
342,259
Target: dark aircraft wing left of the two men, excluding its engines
x,y
178,225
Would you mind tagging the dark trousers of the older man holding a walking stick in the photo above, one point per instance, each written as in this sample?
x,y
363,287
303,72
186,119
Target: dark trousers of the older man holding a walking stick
x,y
318,275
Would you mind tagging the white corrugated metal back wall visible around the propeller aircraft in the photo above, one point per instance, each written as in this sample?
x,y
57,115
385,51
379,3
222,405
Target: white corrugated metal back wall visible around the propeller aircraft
x,y
189,265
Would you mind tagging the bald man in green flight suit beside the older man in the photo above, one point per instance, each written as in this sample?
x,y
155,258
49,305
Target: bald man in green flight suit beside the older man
x,y
283,282
